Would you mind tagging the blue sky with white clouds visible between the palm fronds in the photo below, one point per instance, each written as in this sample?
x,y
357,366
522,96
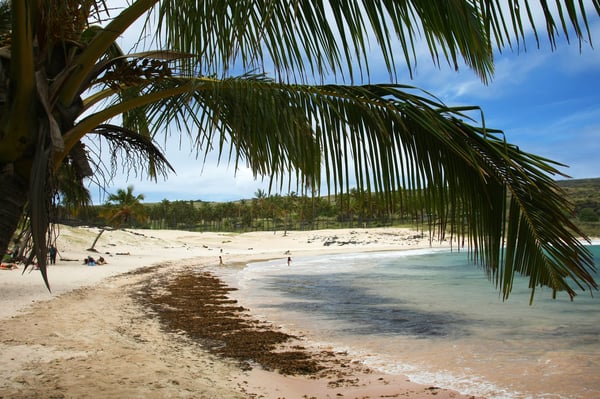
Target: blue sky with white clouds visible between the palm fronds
x,y
546,102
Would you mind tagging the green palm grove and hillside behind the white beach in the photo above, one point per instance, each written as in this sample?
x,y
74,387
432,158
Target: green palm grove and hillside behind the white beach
x,y
266,212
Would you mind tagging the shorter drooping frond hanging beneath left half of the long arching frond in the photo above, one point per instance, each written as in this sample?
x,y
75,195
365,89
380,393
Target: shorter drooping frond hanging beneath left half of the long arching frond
x,y
214,114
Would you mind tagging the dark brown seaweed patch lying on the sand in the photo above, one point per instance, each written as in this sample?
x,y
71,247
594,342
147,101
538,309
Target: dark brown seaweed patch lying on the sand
x,y
197,304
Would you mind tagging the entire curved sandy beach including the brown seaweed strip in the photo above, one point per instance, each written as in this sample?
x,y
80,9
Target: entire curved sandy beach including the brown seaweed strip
x,y
138,326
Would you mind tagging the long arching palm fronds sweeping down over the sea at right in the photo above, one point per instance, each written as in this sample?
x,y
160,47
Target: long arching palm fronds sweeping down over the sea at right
x,y
394,137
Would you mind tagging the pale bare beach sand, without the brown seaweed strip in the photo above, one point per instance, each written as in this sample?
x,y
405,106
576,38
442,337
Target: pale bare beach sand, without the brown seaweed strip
x,y
89,338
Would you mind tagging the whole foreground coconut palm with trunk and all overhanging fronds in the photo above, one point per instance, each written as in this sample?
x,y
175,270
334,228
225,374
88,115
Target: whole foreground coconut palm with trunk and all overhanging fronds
x,y
64,80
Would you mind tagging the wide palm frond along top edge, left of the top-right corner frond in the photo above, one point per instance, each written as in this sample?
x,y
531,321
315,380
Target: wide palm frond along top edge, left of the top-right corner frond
x,y
321,37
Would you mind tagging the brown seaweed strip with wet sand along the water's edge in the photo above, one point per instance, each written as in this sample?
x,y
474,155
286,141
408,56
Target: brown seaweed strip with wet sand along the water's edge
x,y
274,363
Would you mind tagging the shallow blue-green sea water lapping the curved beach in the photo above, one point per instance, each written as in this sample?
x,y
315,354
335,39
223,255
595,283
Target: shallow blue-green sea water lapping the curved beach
x,y
435,317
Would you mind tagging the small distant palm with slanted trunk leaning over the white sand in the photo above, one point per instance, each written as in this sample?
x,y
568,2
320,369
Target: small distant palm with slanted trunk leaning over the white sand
x,y
122,208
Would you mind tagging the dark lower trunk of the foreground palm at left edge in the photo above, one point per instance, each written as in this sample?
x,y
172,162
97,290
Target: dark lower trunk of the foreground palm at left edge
x,y
12,203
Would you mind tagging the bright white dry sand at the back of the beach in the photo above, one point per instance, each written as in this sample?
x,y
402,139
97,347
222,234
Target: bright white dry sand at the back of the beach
x,y
126,250
